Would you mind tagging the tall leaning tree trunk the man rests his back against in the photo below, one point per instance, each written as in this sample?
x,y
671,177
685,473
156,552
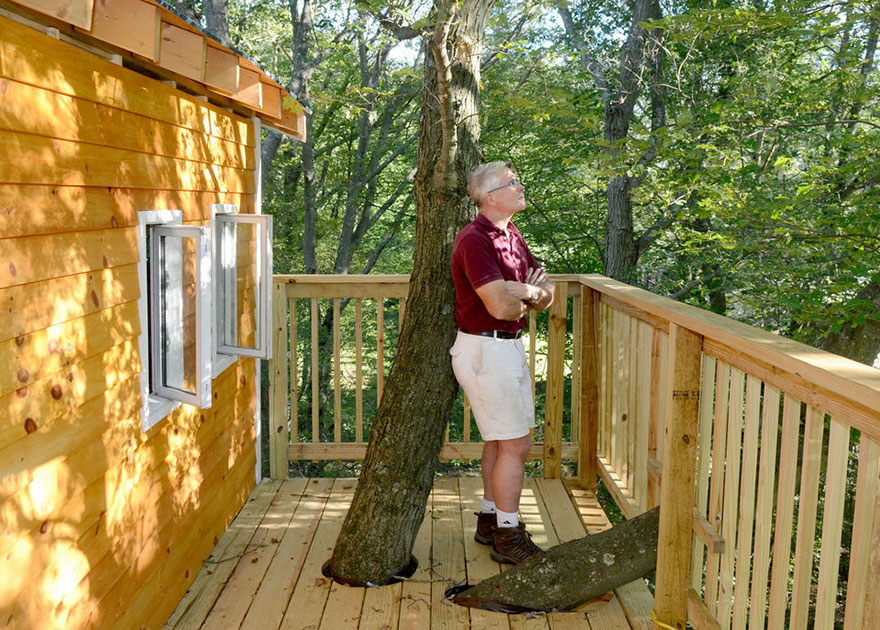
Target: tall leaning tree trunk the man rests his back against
x,y
377,537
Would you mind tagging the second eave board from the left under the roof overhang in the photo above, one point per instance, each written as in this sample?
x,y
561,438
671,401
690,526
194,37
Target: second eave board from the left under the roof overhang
x,y
132,25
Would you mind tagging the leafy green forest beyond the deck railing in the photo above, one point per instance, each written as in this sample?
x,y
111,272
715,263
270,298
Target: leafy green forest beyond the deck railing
x,y
720,153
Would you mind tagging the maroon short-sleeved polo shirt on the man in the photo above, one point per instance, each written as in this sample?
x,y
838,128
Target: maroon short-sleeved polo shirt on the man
x,y
482,253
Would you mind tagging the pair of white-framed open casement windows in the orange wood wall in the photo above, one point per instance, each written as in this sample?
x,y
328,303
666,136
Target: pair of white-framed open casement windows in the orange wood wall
x,y
205,300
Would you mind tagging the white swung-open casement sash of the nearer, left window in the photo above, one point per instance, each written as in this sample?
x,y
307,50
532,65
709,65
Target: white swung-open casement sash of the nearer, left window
x,y
201,396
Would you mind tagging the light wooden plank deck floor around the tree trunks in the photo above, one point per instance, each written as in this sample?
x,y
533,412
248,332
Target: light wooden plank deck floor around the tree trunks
x,y
265,572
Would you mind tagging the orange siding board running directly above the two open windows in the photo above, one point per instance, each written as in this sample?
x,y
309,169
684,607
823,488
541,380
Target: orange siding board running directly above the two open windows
x,y
45,209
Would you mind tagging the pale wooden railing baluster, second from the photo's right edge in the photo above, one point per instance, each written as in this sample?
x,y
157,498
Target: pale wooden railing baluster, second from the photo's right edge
x,y
832,524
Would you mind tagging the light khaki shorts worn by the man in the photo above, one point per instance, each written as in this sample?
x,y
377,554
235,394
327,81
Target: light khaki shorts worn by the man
x,y
494,373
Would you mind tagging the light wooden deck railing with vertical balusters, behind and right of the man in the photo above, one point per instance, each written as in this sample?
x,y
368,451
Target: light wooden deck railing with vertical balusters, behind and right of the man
x,y
751,434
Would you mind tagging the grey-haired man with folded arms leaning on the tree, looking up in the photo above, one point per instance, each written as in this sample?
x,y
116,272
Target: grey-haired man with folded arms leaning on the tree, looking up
x,y
497,282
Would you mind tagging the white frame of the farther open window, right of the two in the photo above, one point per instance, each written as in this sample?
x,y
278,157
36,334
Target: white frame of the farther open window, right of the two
x,y
225,286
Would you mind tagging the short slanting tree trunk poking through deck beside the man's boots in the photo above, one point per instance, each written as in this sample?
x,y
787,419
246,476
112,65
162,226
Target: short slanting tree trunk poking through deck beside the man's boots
x,y
573,573
